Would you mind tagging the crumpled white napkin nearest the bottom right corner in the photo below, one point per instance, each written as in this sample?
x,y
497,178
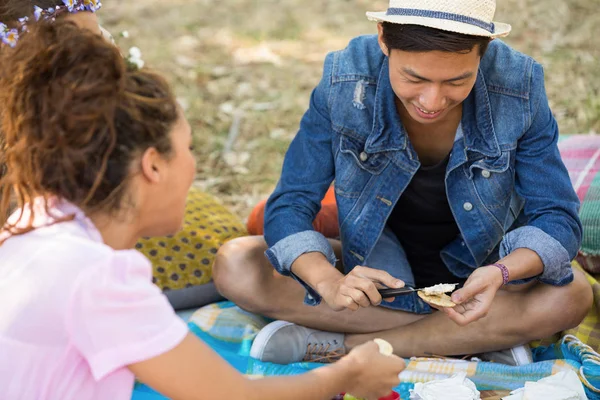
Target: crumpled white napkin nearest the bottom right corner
x,y
564,385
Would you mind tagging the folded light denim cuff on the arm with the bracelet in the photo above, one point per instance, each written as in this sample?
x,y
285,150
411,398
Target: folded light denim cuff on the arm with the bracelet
x,y
557,264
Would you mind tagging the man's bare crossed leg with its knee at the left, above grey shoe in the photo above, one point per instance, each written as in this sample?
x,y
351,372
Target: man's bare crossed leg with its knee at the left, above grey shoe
x,y
243,274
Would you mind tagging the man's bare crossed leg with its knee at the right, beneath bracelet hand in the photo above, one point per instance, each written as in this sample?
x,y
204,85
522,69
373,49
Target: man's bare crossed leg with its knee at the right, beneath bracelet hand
x,y
516,317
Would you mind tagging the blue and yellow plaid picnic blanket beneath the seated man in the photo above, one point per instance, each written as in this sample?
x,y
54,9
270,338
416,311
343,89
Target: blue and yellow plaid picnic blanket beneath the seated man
x,y
230,331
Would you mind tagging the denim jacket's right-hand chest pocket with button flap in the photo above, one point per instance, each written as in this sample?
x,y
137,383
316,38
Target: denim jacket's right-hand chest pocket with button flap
x,y
493,179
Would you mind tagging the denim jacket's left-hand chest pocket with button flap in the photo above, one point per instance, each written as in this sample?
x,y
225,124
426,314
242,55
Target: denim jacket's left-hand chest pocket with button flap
x,y
355,167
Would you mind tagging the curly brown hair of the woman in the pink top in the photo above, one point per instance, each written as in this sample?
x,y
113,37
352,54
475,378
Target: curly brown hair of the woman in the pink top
x,y
74,117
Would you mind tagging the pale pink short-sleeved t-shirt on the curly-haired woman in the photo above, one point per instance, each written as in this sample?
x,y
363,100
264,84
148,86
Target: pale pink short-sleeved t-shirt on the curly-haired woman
x,y
74,313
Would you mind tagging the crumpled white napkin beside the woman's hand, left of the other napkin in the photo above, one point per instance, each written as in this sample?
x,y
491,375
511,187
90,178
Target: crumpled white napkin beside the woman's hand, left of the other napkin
x,y
457,387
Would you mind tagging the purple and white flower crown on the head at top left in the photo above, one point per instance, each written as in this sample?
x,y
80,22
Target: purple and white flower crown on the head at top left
x,y
11,36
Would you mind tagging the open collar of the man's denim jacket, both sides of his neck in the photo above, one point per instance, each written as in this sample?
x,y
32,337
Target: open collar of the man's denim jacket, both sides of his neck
x,y
388,133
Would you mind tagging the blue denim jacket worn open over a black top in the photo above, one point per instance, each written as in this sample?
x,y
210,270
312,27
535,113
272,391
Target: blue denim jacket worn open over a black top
x,y
506,183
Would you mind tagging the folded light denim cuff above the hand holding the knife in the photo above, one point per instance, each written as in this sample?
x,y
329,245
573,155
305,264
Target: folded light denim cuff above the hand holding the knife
x,y
283,254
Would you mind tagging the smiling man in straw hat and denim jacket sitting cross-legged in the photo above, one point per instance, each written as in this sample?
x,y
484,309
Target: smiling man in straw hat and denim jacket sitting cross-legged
x,y
443,151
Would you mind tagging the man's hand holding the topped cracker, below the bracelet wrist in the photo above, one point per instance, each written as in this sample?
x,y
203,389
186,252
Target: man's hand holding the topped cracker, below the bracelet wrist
x,y
475,298
